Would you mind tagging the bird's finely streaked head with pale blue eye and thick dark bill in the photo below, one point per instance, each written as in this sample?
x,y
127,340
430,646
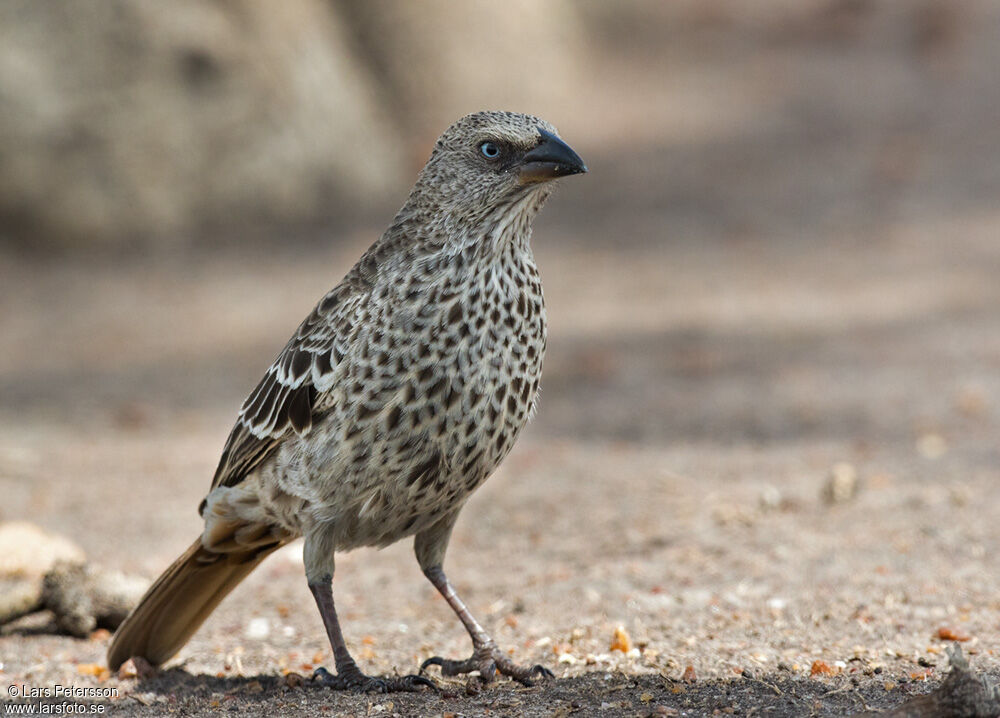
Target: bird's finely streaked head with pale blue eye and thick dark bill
x,y
489,161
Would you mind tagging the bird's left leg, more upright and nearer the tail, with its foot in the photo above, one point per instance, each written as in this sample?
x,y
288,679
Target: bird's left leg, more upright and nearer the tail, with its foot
x,y
319,572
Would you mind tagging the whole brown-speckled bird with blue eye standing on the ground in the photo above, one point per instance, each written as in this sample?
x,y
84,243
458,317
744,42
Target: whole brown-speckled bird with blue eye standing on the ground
x,y
397,396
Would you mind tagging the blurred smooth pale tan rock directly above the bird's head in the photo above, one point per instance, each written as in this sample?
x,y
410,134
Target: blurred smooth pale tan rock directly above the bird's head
x,y
437,60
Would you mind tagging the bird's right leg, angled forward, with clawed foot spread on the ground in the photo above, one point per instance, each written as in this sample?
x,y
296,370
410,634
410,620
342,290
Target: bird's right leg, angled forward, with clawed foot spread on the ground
x,y
487,658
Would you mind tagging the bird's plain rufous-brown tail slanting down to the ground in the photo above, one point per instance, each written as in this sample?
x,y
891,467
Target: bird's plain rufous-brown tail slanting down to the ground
x,y
179,602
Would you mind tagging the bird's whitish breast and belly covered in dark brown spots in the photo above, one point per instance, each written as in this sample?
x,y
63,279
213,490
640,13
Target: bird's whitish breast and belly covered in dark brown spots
x,y
433,399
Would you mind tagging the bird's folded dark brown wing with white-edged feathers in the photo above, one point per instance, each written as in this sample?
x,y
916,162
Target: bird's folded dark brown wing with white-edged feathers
x,y
284,401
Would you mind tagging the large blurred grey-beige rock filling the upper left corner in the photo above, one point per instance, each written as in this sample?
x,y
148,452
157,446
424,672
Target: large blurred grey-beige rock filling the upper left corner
x,y
131,119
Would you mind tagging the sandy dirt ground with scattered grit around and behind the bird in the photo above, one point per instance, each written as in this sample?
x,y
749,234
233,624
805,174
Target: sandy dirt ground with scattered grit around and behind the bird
x,y
734,319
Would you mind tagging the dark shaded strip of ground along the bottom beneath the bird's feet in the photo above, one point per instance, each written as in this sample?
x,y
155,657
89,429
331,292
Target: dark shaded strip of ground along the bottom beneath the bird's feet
x,y
605,694
